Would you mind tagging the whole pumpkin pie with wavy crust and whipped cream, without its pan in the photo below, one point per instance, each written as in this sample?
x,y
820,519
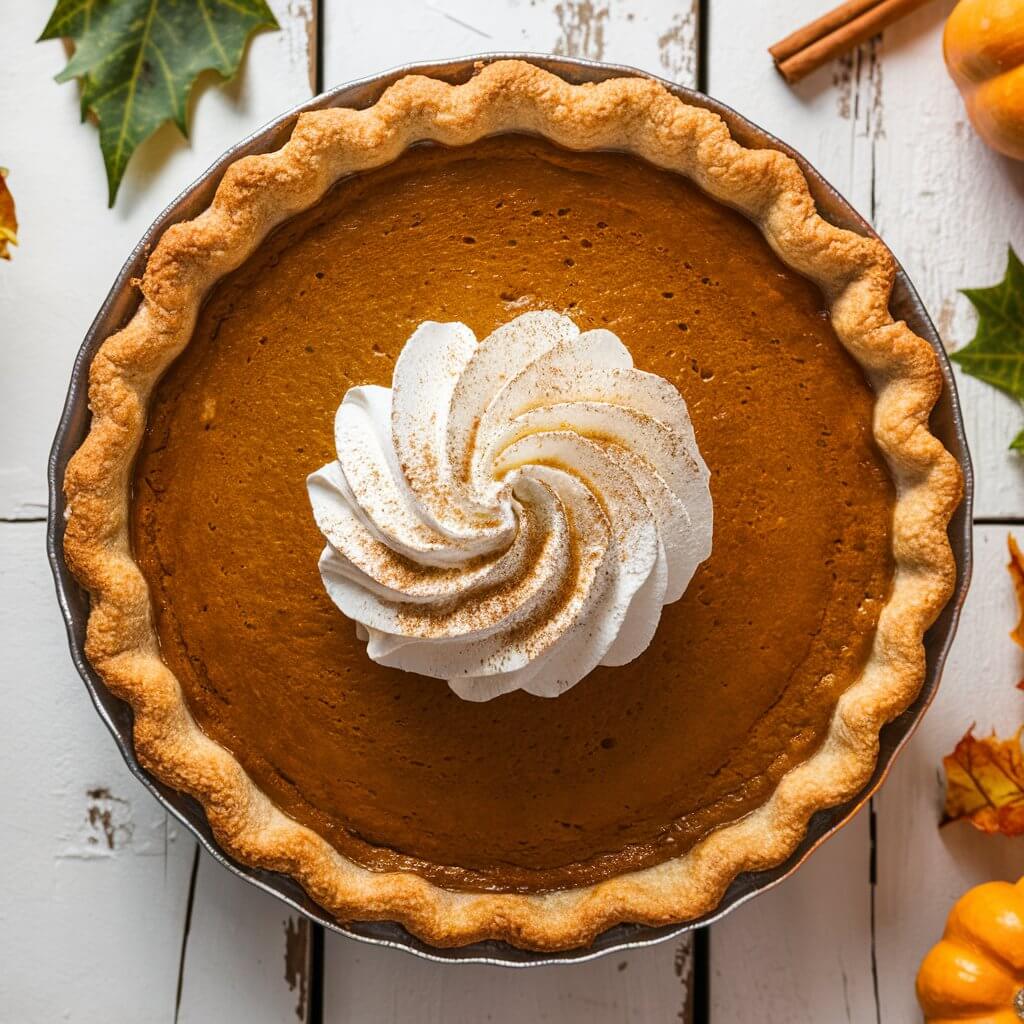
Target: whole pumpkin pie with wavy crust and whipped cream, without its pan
x,y
610,219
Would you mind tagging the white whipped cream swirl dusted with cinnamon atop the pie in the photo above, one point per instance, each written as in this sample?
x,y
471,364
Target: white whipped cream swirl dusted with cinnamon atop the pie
x,y
513,513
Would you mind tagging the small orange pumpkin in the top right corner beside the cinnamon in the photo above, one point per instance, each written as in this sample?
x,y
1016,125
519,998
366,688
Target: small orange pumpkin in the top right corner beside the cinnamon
x,y
984,45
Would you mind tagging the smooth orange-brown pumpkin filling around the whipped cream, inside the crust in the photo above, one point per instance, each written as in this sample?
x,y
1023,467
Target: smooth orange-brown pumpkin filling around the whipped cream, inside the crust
x,y
636,763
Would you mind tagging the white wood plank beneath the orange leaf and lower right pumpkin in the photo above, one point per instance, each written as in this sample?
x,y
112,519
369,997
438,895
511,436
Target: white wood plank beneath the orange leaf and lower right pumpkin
x,y
922,870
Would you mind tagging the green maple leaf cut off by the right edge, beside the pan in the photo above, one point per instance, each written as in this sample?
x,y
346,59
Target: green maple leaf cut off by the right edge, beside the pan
x,y
997,352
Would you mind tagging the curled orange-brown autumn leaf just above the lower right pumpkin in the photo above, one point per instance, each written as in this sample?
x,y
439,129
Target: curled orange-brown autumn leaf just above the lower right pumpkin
x,y
986,784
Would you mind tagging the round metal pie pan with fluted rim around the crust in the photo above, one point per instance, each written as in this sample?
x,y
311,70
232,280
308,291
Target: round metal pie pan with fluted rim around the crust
x,y
118,309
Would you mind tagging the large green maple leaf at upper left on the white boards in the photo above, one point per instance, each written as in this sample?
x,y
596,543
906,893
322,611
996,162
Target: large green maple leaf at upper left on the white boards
x,y
139,60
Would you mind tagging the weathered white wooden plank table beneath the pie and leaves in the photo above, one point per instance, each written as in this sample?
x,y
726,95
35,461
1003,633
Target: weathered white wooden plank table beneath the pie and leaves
x,y
108,910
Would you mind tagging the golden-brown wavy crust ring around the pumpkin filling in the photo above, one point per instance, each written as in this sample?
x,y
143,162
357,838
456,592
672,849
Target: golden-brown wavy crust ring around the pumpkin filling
x,y
258,194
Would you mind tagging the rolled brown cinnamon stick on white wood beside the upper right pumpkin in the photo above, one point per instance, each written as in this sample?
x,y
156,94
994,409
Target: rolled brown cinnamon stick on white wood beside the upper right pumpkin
x,y
836,33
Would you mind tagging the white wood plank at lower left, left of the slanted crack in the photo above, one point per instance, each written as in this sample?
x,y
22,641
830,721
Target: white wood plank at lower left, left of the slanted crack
x,y
97,875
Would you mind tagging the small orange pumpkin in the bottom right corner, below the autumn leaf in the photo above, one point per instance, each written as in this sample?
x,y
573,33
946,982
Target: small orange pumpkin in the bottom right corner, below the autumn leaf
x,y
976,973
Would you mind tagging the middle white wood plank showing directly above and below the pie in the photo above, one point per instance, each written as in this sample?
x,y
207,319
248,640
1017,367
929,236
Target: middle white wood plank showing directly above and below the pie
x,y
375,986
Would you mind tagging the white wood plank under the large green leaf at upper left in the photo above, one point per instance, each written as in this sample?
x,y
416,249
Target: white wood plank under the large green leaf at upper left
x,y
71,245
